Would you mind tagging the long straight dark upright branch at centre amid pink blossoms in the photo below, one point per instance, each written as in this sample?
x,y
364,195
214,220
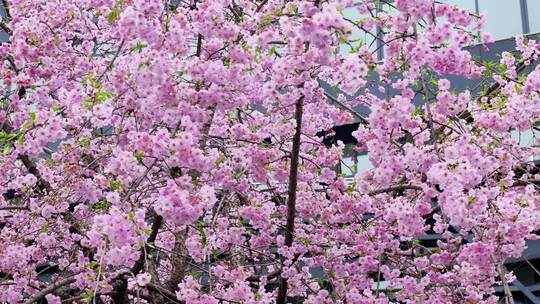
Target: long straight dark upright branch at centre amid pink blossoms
x,y
291,193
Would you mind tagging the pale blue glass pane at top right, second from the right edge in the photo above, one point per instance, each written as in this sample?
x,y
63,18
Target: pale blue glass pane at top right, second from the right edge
x,y
503,17
